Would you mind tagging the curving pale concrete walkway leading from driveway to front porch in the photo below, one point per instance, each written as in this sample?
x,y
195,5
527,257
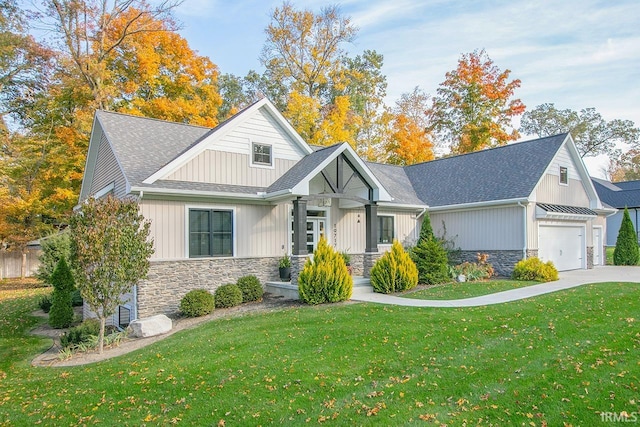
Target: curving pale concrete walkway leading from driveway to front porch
x,y
568,279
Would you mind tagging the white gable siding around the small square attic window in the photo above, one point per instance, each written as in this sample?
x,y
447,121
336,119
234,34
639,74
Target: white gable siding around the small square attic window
x,y
228,160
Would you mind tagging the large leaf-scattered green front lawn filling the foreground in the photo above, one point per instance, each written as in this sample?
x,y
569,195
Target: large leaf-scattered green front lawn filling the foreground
x,y
558,358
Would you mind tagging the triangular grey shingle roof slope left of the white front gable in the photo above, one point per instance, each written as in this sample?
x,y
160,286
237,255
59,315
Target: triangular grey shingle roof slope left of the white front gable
x,y
144,145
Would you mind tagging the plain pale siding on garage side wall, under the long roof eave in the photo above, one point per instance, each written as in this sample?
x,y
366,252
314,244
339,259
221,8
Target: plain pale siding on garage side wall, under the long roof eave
x,y
498,228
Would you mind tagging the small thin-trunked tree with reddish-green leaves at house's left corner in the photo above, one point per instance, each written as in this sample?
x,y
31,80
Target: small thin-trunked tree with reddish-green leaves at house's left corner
x,y
110,249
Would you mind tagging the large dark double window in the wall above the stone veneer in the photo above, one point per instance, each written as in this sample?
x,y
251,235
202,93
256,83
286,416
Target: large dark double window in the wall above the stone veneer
x,y
210,233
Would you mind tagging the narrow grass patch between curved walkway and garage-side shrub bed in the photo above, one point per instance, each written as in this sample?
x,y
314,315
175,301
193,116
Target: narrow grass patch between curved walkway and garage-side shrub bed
x,y
455,290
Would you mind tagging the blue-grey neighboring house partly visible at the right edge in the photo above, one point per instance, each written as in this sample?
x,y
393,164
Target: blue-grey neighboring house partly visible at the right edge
x,y
619,195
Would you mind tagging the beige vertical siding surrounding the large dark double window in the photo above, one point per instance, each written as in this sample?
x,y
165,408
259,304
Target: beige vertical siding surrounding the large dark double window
x,y
259,230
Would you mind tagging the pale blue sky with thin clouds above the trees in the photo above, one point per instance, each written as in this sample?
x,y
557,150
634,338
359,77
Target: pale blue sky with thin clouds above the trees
x,y
574,53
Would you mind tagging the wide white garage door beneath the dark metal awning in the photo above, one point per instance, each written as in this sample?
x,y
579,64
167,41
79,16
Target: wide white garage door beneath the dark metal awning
x,y
562,245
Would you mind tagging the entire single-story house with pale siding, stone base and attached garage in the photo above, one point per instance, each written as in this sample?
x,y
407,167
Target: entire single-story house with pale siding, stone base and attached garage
x,y
230,201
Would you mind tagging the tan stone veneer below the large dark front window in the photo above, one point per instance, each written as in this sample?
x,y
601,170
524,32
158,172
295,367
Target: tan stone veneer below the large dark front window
x,y
168,281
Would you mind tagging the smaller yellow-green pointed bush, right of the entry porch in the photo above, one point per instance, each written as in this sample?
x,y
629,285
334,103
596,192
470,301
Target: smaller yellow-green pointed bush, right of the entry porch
x,y
394,271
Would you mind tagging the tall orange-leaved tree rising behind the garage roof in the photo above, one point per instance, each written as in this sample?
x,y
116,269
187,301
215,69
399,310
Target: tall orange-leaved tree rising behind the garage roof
x,y
473,107
